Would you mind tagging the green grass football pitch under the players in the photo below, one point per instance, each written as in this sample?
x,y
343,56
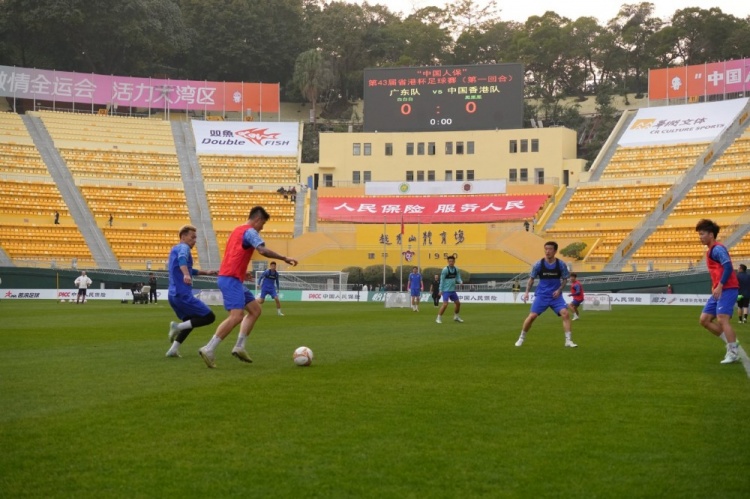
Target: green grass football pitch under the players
x,y
393,406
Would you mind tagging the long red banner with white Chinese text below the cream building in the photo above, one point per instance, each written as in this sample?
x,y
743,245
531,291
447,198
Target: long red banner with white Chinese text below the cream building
x,y
432,209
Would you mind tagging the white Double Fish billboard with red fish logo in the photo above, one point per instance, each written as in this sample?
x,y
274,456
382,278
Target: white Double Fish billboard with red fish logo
x,y
246,138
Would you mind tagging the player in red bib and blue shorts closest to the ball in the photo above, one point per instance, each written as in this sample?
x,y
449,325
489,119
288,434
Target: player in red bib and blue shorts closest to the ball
x,y
242,242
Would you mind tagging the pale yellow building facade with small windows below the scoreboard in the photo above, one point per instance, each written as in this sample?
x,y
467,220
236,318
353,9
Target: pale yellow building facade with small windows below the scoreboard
x,y
523,156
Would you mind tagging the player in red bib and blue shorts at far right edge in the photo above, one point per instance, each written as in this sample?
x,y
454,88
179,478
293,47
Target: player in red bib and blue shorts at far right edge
x,y
717,313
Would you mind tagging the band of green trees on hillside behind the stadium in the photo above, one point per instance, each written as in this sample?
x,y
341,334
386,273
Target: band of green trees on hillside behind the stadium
x,y
247,40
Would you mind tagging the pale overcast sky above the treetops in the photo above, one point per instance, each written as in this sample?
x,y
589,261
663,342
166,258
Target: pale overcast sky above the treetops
x,y
603,10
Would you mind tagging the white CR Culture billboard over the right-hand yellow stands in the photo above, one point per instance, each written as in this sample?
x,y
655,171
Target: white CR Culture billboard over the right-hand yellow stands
x,y
681,124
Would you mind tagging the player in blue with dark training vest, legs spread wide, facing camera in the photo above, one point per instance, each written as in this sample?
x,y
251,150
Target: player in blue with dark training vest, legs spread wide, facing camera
x,y
553,274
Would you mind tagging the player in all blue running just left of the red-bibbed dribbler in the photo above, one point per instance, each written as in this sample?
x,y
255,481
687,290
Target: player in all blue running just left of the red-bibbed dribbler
x,y
190,310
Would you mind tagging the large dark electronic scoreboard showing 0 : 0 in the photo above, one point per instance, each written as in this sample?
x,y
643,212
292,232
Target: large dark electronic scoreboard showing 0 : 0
x,y
443,98
